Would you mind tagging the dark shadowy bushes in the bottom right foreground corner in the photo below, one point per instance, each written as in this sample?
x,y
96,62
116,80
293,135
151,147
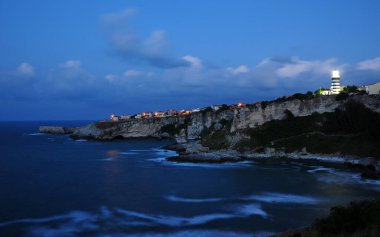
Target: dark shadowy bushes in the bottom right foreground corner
x,y
357,219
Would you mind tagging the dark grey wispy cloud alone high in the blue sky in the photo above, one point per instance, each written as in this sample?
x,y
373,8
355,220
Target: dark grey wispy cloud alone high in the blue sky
x,y
154,50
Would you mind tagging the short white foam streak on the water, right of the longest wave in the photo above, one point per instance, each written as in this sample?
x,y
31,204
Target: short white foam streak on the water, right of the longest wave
x,y
282,198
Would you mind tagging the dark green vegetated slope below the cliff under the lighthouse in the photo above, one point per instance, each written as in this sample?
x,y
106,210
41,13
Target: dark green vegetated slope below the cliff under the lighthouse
x,y
353,130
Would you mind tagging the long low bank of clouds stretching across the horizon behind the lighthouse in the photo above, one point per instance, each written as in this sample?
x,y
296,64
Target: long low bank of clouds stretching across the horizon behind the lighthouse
x,y
179,87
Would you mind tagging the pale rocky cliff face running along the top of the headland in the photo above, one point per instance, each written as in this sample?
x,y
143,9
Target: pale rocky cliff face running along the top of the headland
x,y
239,118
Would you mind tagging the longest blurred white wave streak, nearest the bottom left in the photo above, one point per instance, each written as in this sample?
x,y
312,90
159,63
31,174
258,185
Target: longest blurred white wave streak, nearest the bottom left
x,y
76,222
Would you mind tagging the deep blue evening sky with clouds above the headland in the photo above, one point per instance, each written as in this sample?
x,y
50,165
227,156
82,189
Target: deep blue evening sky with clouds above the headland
x,y
87,59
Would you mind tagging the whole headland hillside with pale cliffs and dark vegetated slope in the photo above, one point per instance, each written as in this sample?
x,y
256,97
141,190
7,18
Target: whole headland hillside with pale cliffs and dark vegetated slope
x,y
307,123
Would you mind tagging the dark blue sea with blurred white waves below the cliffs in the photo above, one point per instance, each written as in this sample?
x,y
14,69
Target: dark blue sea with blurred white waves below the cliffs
x,y
52,186
